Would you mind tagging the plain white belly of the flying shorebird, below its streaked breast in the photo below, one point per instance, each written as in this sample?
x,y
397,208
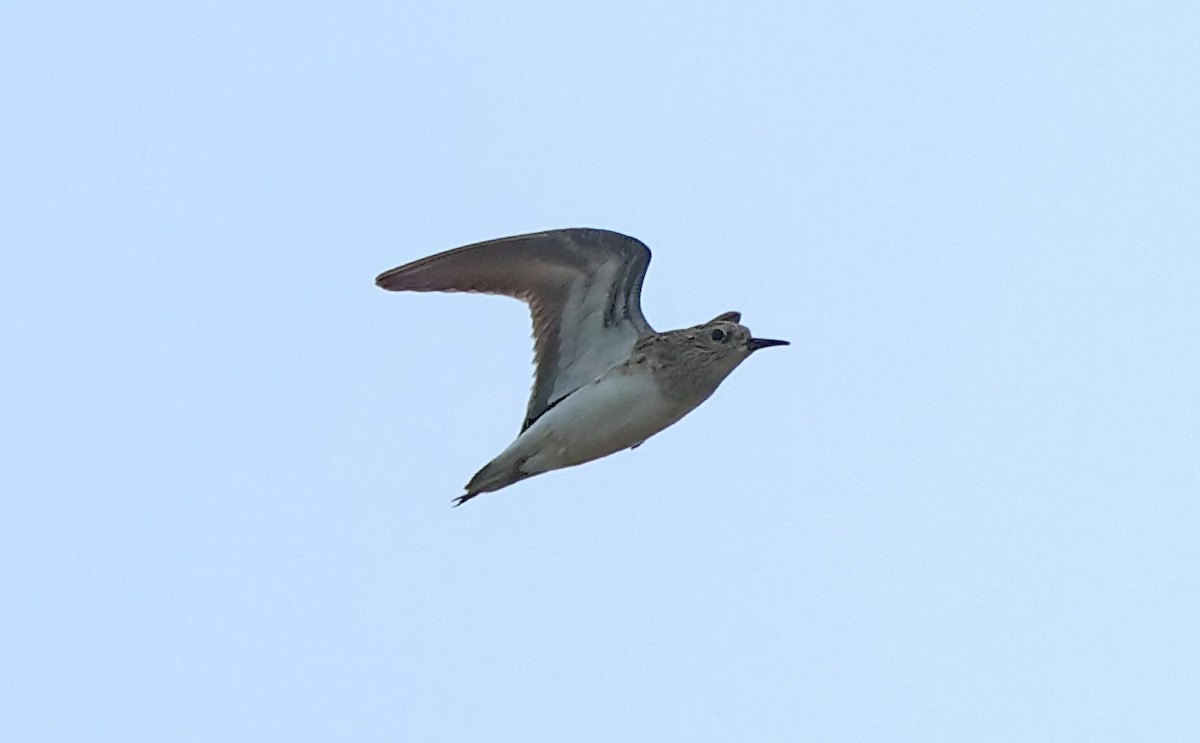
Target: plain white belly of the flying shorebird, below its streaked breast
x,y
608,416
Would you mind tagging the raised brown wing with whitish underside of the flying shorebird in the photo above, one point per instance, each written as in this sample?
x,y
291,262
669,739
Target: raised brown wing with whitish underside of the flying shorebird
x,y
583,286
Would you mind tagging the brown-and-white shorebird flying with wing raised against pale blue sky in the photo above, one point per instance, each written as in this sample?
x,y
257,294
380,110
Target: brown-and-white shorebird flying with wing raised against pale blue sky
x,y
605,380
